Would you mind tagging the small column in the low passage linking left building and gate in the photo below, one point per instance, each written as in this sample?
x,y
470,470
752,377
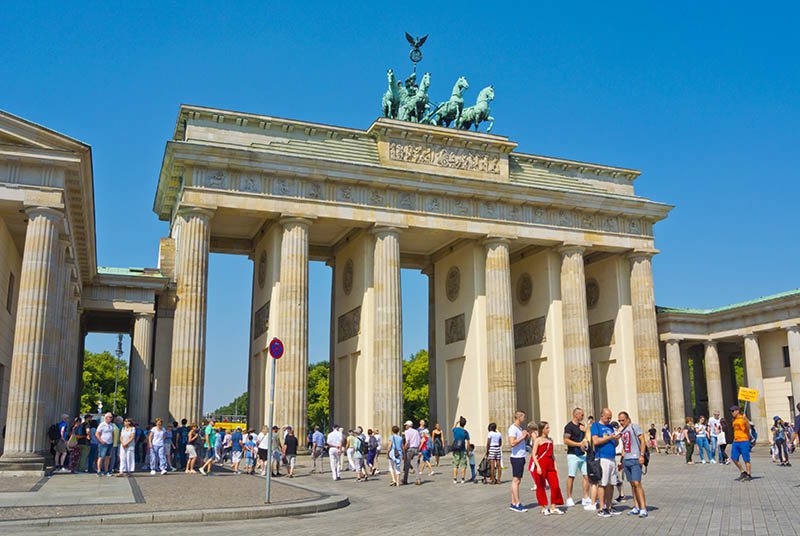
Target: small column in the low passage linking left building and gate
x,y
141,368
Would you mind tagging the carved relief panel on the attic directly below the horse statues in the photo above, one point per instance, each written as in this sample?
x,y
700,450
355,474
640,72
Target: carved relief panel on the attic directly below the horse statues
x,y
445,157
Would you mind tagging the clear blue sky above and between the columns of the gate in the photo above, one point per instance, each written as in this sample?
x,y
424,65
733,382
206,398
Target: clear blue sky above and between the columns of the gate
x,y
704,99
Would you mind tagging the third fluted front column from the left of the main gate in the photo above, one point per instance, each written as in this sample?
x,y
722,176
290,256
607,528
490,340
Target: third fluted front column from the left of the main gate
x,y
388,339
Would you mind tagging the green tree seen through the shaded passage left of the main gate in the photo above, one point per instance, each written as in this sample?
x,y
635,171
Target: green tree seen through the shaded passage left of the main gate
x,y
98,375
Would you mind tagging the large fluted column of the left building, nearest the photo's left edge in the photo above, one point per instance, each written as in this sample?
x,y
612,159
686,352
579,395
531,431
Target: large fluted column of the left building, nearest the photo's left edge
x,y
26,421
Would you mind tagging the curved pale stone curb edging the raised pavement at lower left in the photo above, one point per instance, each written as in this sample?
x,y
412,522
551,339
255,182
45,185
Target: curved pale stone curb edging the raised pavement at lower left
x,y
325,504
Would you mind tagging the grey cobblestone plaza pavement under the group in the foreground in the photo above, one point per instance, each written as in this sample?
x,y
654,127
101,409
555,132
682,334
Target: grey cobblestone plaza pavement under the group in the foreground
x,y
683,500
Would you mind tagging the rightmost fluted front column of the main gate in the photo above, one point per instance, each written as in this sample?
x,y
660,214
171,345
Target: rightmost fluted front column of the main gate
x,y
645,340
